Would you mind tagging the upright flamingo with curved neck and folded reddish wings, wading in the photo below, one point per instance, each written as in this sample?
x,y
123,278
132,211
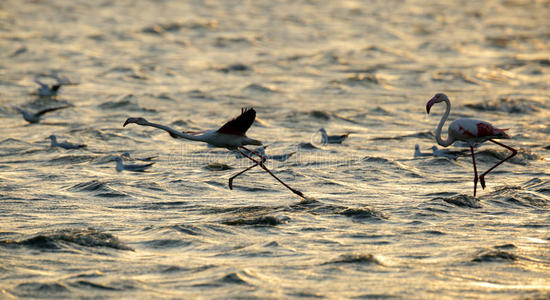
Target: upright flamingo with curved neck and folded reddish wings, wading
x,y
470,131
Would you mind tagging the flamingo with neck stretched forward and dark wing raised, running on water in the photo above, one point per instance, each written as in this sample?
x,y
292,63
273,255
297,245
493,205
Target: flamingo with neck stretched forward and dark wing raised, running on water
x,y
231,136
